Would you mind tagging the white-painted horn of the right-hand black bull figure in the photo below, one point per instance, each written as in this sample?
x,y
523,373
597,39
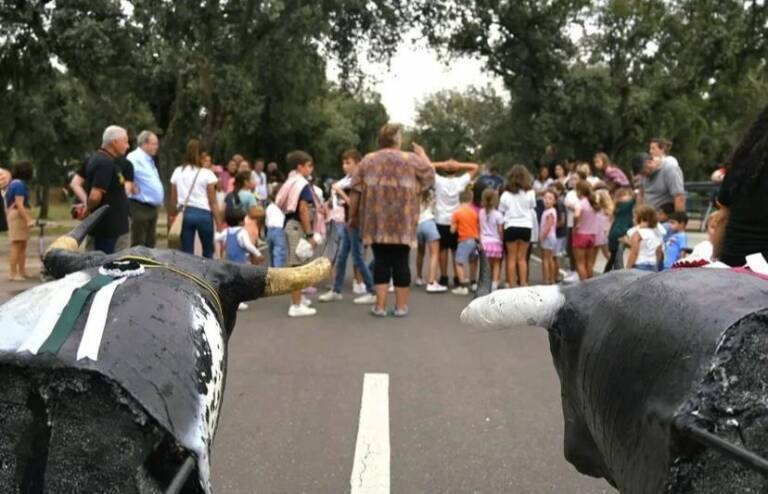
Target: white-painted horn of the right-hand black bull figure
x,y
526,306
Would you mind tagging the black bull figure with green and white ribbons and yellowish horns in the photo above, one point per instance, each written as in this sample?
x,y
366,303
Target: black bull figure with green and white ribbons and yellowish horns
x,y
112,378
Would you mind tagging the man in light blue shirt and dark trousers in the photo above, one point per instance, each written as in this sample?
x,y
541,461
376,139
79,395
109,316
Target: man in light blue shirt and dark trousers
x,y
148,195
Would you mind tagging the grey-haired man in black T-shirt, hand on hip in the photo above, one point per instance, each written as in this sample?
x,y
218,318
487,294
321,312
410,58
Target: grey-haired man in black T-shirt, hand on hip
x,y
105,184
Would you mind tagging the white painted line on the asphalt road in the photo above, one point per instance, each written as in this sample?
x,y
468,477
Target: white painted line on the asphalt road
x,y
370,472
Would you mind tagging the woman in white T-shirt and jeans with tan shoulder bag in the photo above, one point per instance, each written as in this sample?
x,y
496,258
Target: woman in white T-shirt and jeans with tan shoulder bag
x,y
193,191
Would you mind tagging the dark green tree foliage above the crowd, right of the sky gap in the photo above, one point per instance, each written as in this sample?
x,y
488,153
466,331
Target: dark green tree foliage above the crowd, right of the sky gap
x,y
609,75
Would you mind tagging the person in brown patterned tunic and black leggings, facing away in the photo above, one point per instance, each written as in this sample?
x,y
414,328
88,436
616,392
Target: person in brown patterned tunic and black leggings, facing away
x,y
384,206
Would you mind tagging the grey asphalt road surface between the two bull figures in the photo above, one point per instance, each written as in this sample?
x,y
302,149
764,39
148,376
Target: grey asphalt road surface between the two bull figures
x,y
469,411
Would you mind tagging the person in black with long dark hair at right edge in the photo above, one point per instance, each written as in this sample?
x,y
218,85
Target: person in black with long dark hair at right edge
x,y
744,199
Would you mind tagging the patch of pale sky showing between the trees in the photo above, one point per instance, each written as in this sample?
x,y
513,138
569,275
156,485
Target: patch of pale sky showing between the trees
x,y
416,72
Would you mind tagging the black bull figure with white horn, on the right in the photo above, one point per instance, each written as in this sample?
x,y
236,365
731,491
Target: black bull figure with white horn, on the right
x,y
664,381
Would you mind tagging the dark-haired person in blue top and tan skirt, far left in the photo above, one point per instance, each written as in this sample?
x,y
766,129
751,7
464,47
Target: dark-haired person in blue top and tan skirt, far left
x,y
19,219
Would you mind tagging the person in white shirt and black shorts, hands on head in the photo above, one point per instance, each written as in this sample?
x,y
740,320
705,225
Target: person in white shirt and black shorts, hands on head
x,y
448,187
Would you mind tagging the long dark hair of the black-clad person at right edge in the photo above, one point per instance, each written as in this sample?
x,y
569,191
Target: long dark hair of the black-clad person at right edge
x,y
748,162
